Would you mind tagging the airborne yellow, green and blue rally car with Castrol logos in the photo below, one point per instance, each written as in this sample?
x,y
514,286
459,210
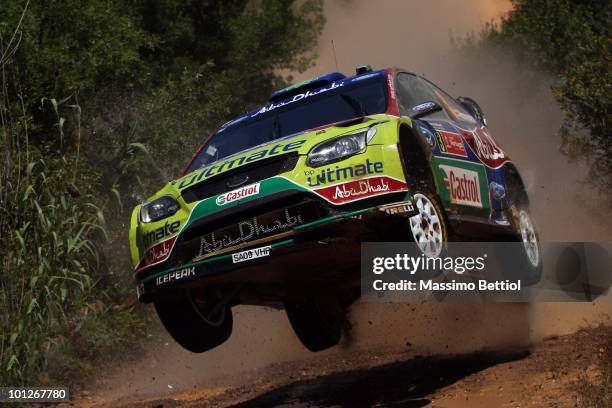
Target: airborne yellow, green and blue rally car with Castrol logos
x,y
274,205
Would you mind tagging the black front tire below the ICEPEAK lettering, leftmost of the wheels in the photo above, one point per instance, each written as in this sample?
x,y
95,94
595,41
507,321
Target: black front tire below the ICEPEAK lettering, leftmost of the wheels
x,y
186,326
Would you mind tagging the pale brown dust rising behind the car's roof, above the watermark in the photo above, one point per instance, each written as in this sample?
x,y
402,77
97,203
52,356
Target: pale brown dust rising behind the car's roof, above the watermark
x,y
519,106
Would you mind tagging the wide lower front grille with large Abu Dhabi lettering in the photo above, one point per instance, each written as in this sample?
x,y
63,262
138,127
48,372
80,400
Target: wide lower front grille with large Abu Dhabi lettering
x,y
205,242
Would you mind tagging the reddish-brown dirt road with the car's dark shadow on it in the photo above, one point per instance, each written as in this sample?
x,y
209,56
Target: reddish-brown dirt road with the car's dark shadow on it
x,y
549,373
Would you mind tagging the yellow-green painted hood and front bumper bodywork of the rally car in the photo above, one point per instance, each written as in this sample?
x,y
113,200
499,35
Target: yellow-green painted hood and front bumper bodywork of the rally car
x,y
375,170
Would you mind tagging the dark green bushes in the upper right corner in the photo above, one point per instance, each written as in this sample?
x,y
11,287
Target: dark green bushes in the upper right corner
x,y
572,39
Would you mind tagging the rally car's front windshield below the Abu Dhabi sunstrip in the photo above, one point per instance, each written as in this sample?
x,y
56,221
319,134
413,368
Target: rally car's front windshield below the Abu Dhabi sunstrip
x,y
365,97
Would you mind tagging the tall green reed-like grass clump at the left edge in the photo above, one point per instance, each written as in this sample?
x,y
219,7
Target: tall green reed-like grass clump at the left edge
x,y
47,263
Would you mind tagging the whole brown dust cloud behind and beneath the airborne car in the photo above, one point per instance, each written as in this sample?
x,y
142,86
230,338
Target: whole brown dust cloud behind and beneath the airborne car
x,y
522,115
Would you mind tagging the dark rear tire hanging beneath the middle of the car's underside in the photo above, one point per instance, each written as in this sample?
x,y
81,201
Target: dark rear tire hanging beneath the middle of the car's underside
x,y
317,327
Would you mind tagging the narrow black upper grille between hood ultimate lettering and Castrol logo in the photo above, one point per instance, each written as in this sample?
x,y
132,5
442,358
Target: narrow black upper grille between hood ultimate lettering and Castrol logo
x,y
256,171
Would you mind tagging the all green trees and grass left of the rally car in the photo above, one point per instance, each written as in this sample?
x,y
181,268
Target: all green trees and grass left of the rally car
x,y
101,101
